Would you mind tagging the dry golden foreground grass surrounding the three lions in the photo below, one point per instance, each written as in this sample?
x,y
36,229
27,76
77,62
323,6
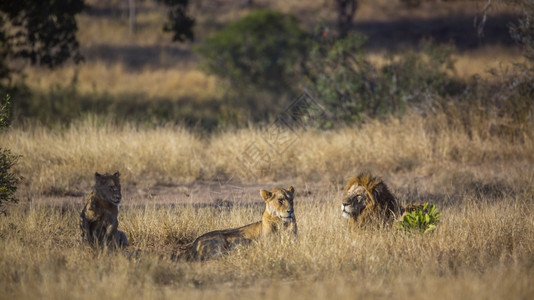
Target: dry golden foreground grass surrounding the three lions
x,y
482,249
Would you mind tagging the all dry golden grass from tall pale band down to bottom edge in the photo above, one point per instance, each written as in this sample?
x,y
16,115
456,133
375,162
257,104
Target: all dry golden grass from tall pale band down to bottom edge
x,y
483,184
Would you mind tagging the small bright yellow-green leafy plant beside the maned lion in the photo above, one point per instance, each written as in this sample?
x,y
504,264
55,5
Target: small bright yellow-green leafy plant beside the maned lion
x,y
421,220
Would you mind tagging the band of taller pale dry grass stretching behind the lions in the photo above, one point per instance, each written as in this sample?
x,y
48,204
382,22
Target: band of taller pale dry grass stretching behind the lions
x,y
64,161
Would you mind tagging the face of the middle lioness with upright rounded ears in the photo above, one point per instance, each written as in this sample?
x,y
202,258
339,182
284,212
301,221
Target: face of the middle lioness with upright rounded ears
x,y
280,203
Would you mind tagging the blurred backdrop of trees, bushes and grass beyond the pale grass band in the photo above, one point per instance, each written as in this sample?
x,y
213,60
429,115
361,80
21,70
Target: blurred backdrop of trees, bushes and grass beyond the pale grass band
x,y
214,64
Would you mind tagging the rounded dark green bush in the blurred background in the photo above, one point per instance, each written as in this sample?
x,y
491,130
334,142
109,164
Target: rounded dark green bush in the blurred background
x,y
262,50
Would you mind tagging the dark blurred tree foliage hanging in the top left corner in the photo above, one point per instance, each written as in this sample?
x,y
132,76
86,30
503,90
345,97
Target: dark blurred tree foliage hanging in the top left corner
x,y
42,32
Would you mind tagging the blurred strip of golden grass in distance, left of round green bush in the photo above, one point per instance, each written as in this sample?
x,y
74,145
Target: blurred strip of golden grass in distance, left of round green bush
x,y
116,80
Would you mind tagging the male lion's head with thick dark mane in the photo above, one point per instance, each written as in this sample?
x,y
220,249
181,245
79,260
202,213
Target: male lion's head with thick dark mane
x,y
368,199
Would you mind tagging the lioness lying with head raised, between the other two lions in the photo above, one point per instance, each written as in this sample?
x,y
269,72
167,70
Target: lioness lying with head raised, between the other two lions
x,y
279,215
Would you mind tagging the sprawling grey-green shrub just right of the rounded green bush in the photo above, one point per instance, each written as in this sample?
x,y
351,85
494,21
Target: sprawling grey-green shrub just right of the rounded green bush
x,y
351,89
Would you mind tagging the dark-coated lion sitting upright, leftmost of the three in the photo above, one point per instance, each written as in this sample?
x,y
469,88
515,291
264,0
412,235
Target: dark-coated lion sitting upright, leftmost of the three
x,y
98,219
